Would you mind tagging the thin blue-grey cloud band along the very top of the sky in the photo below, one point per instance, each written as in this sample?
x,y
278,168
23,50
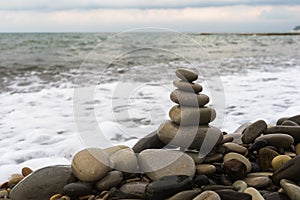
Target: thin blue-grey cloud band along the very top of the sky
x,y
130,4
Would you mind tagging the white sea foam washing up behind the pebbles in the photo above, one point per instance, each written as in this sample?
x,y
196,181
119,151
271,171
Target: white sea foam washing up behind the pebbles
x,y
39,128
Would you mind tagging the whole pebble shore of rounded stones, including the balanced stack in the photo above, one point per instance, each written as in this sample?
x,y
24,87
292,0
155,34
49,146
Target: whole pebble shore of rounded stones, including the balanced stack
x,y
257,161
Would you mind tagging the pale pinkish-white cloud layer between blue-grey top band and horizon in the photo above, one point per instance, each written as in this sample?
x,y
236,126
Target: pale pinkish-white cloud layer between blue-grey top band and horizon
x,y
207,19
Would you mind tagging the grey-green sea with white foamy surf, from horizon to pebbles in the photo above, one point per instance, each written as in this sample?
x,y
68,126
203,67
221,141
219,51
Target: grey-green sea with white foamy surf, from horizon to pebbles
x,y
62,92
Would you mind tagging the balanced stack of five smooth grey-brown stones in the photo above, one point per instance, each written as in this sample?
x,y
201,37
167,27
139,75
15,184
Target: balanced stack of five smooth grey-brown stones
x,y
189,125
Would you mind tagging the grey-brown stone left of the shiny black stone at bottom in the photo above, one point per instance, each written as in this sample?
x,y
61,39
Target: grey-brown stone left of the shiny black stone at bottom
x,y
134,189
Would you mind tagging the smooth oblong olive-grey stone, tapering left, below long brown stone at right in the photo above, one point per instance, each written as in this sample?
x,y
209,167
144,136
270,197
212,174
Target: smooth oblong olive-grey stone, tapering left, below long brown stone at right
x,y
278,140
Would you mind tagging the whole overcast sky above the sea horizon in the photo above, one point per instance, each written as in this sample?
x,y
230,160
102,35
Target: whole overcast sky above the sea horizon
x,y
120,15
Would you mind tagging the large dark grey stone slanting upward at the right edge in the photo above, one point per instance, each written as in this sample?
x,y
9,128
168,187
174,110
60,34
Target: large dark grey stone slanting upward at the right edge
x,y
289,170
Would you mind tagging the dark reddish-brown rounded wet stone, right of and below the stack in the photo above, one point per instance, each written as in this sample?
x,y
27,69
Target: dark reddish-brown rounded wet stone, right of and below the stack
x,y
235,169
